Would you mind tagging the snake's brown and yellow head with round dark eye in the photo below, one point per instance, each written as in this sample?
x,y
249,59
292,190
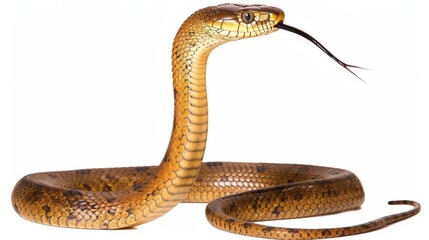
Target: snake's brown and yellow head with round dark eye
x,y
234,21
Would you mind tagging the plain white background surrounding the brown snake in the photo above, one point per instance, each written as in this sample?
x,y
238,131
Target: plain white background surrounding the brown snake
x,y
87,84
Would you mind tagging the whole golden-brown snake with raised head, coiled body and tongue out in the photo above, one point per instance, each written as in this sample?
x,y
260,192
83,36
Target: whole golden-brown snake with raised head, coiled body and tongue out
x,y
240,195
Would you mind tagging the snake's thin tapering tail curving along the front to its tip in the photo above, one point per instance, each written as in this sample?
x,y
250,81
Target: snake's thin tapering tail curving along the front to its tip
x,y
222,216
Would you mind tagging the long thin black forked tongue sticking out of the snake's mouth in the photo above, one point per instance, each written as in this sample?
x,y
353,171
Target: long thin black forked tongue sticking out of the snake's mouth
x,y
307,36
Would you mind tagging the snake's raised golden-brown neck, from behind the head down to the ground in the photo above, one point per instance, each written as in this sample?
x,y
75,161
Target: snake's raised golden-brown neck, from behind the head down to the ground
x,y
184,155
